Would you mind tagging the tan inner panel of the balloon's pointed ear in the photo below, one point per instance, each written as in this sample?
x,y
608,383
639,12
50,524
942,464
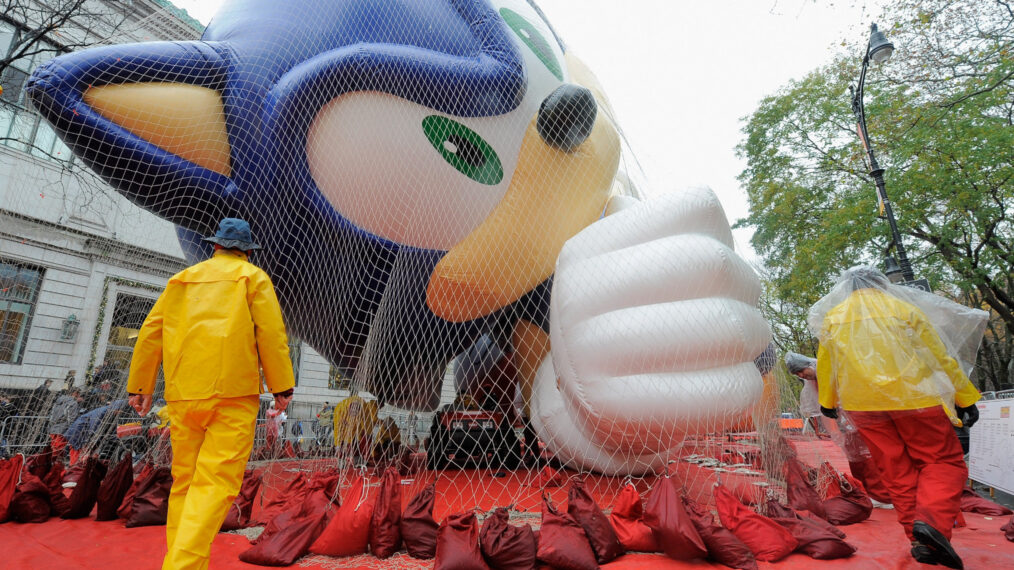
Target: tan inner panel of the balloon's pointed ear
x,y
188,121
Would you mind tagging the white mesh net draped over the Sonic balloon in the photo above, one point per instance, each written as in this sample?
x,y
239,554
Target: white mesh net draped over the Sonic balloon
x,y
429,182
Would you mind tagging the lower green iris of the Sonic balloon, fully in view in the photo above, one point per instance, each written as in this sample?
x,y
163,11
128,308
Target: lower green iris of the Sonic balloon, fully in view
x,y
464,150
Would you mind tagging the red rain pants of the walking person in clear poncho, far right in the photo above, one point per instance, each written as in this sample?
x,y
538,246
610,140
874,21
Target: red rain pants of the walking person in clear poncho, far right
x,y
921,464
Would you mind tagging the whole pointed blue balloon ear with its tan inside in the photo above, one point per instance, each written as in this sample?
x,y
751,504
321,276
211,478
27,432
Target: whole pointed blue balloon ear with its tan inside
x,y
152,120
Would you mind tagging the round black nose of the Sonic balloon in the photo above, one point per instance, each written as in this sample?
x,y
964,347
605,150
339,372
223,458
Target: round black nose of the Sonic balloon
x,y
566,117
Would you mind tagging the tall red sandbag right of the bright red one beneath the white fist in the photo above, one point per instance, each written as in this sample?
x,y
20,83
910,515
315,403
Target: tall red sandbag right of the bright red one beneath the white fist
x,y
676,533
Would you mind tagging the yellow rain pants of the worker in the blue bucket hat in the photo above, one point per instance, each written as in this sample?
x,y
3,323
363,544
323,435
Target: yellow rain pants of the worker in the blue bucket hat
x,y
211,442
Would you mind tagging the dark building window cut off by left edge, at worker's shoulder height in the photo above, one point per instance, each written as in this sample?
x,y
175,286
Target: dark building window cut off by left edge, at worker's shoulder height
x,y
20,286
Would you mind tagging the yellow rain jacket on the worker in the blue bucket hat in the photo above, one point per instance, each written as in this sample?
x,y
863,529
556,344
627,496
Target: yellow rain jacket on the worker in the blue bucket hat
x,y
206,329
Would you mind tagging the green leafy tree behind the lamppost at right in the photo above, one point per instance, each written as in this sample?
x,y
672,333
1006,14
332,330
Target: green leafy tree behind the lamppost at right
x,y
940,117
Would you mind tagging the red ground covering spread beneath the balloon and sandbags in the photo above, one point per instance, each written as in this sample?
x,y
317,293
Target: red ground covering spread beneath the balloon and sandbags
x,y
110,546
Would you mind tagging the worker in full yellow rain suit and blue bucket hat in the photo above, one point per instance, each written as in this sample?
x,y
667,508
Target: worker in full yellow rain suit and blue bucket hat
x,y
216,326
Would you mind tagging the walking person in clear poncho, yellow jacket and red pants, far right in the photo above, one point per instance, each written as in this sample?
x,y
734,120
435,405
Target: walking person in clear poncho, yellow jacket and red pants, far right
x,y
898,361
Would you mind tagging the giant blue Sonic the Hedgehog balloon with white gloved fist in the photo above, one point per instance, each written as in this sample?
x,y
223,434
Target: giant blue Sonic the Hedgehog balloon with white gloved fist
x,y
413,170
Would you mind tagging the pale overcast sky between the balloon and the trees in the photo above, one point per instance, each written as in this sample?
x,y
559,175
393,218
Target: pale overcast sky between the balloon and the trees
x,y
683,75
